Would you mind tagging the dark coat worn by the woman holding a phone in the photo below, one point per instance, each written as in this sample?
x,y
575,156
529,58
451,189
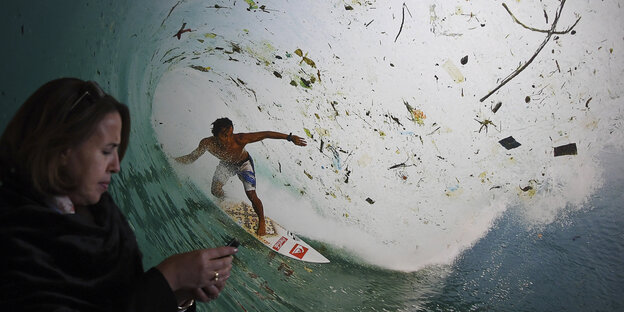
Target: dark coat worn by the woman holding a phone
x,y
62,262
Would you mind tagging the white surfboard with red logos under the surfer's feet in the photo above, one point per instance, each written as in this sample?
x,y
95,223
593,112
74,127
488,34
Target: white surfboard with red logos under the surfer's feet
x,y
277,238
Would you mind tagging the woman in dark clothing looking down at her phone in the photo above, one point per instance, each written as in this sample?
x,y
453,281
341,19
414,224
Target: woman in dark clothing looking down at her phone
x,y
66,244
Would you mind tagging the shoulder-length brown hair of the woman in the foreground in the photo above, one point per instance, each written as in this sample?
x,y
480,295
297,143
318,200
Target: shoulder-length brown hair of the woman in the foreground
x,y
60,115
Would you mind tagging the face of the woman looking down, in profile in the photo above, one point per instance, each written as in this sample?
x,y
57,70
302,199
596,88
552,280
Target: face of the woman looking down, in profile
x,y
92,163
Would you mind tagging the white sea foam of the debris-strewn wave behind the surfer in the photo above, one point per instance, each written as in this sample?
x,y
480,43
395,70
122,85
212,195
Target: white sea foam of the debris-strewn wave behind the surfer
x,y
455,178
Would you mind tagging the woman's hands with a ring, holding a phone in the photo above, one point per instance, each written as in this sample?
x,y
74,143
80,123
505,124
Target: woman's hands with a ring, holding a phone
x,y
199,274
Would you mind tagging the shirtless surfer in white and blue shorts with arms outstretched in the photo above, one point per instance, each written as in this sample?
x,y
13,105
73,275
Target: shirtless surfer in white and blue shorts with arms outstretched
x,y
229,148
